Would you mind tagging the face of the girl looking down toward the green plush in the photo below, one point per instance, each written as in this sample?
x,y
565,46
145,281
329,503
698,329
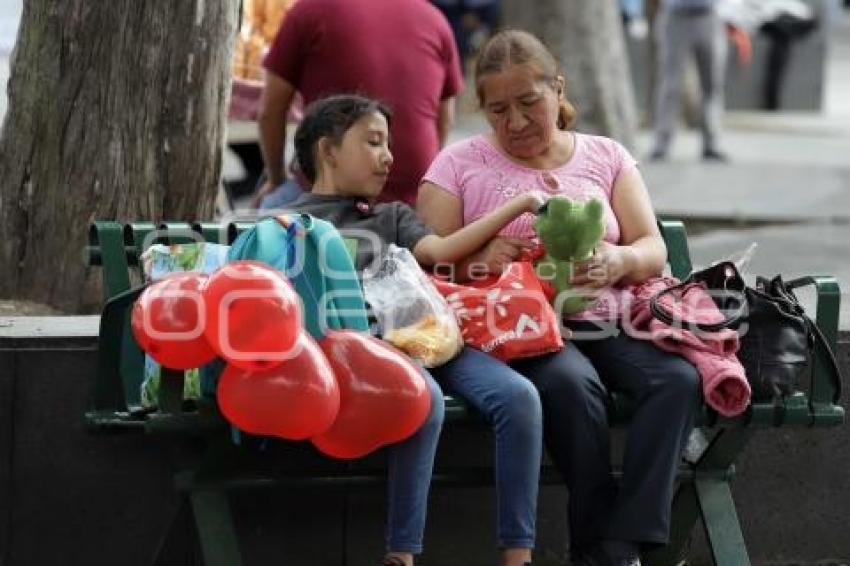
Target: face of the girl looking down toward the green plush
x,y
361,161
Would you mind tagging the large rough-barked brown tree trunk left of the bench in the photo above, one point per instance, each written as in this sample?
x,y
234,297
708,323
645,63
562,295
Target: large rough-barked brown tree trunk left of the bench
x,y
116,111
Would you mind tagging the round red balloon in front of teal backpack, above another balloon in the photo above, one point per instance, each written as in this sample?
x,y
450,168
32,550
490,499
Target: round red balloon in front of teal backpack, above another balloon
x,y
253,315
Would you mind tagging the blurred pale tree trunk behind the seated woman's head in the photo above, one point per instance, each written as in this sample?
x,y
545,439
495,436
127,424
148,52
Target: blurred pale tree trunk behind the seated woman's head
x,y
586,36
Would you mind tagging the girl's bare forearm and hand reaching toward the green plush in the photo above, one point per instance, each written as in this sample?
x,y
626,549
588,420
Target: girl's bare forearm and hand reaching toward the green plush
x,y
466,240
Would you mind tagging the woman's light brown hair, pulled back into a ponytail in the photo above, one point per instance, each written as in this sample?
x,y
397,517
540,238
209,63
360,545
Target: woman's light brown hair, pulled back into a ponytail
x,y
516,47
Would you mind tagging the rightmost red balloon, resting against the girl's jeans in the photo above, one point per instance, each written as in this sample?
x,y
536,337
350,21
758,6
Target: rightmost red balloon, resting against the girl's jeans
x,y
384,398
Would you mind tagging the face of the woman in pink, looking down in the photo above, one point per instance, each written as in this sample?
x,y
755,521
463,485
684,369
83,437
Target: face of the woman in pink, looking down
x,y
522,109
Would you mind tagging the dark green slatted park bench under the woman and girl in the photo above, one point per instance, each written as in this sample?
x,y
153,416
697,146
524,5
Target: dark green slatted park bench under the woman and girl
x,y
703,495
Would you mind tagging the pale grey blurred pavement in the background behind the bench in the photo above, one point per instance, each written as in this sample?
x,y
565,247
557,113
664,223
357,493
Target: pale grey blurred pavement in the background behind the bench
x,y
786,188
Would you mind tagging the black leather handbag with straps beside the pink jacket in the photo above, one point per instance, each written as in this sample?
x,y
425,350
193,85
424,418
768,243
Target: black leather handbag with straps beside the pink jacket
x,y
777,337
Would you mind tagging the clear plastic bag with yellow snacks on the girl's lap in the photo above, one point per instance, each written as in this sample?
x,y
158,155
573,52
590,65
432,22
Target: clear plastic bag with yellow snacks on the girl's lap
x,y
412,315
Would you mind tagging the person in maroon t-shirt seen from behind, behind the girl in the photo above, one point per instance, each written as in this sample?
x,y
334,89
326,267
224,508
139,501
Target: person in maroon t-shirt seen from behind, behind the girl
x,y
401,52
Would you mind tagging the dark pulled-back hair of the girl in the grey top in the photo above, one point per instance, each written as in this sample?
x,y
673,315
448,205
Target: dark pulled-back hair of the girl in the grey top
x,y
330,118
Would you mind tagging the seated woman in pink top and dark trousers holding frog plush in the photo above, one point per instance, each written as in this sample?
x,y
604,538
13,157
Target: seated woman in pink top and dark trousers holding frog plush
x,y
531,147
